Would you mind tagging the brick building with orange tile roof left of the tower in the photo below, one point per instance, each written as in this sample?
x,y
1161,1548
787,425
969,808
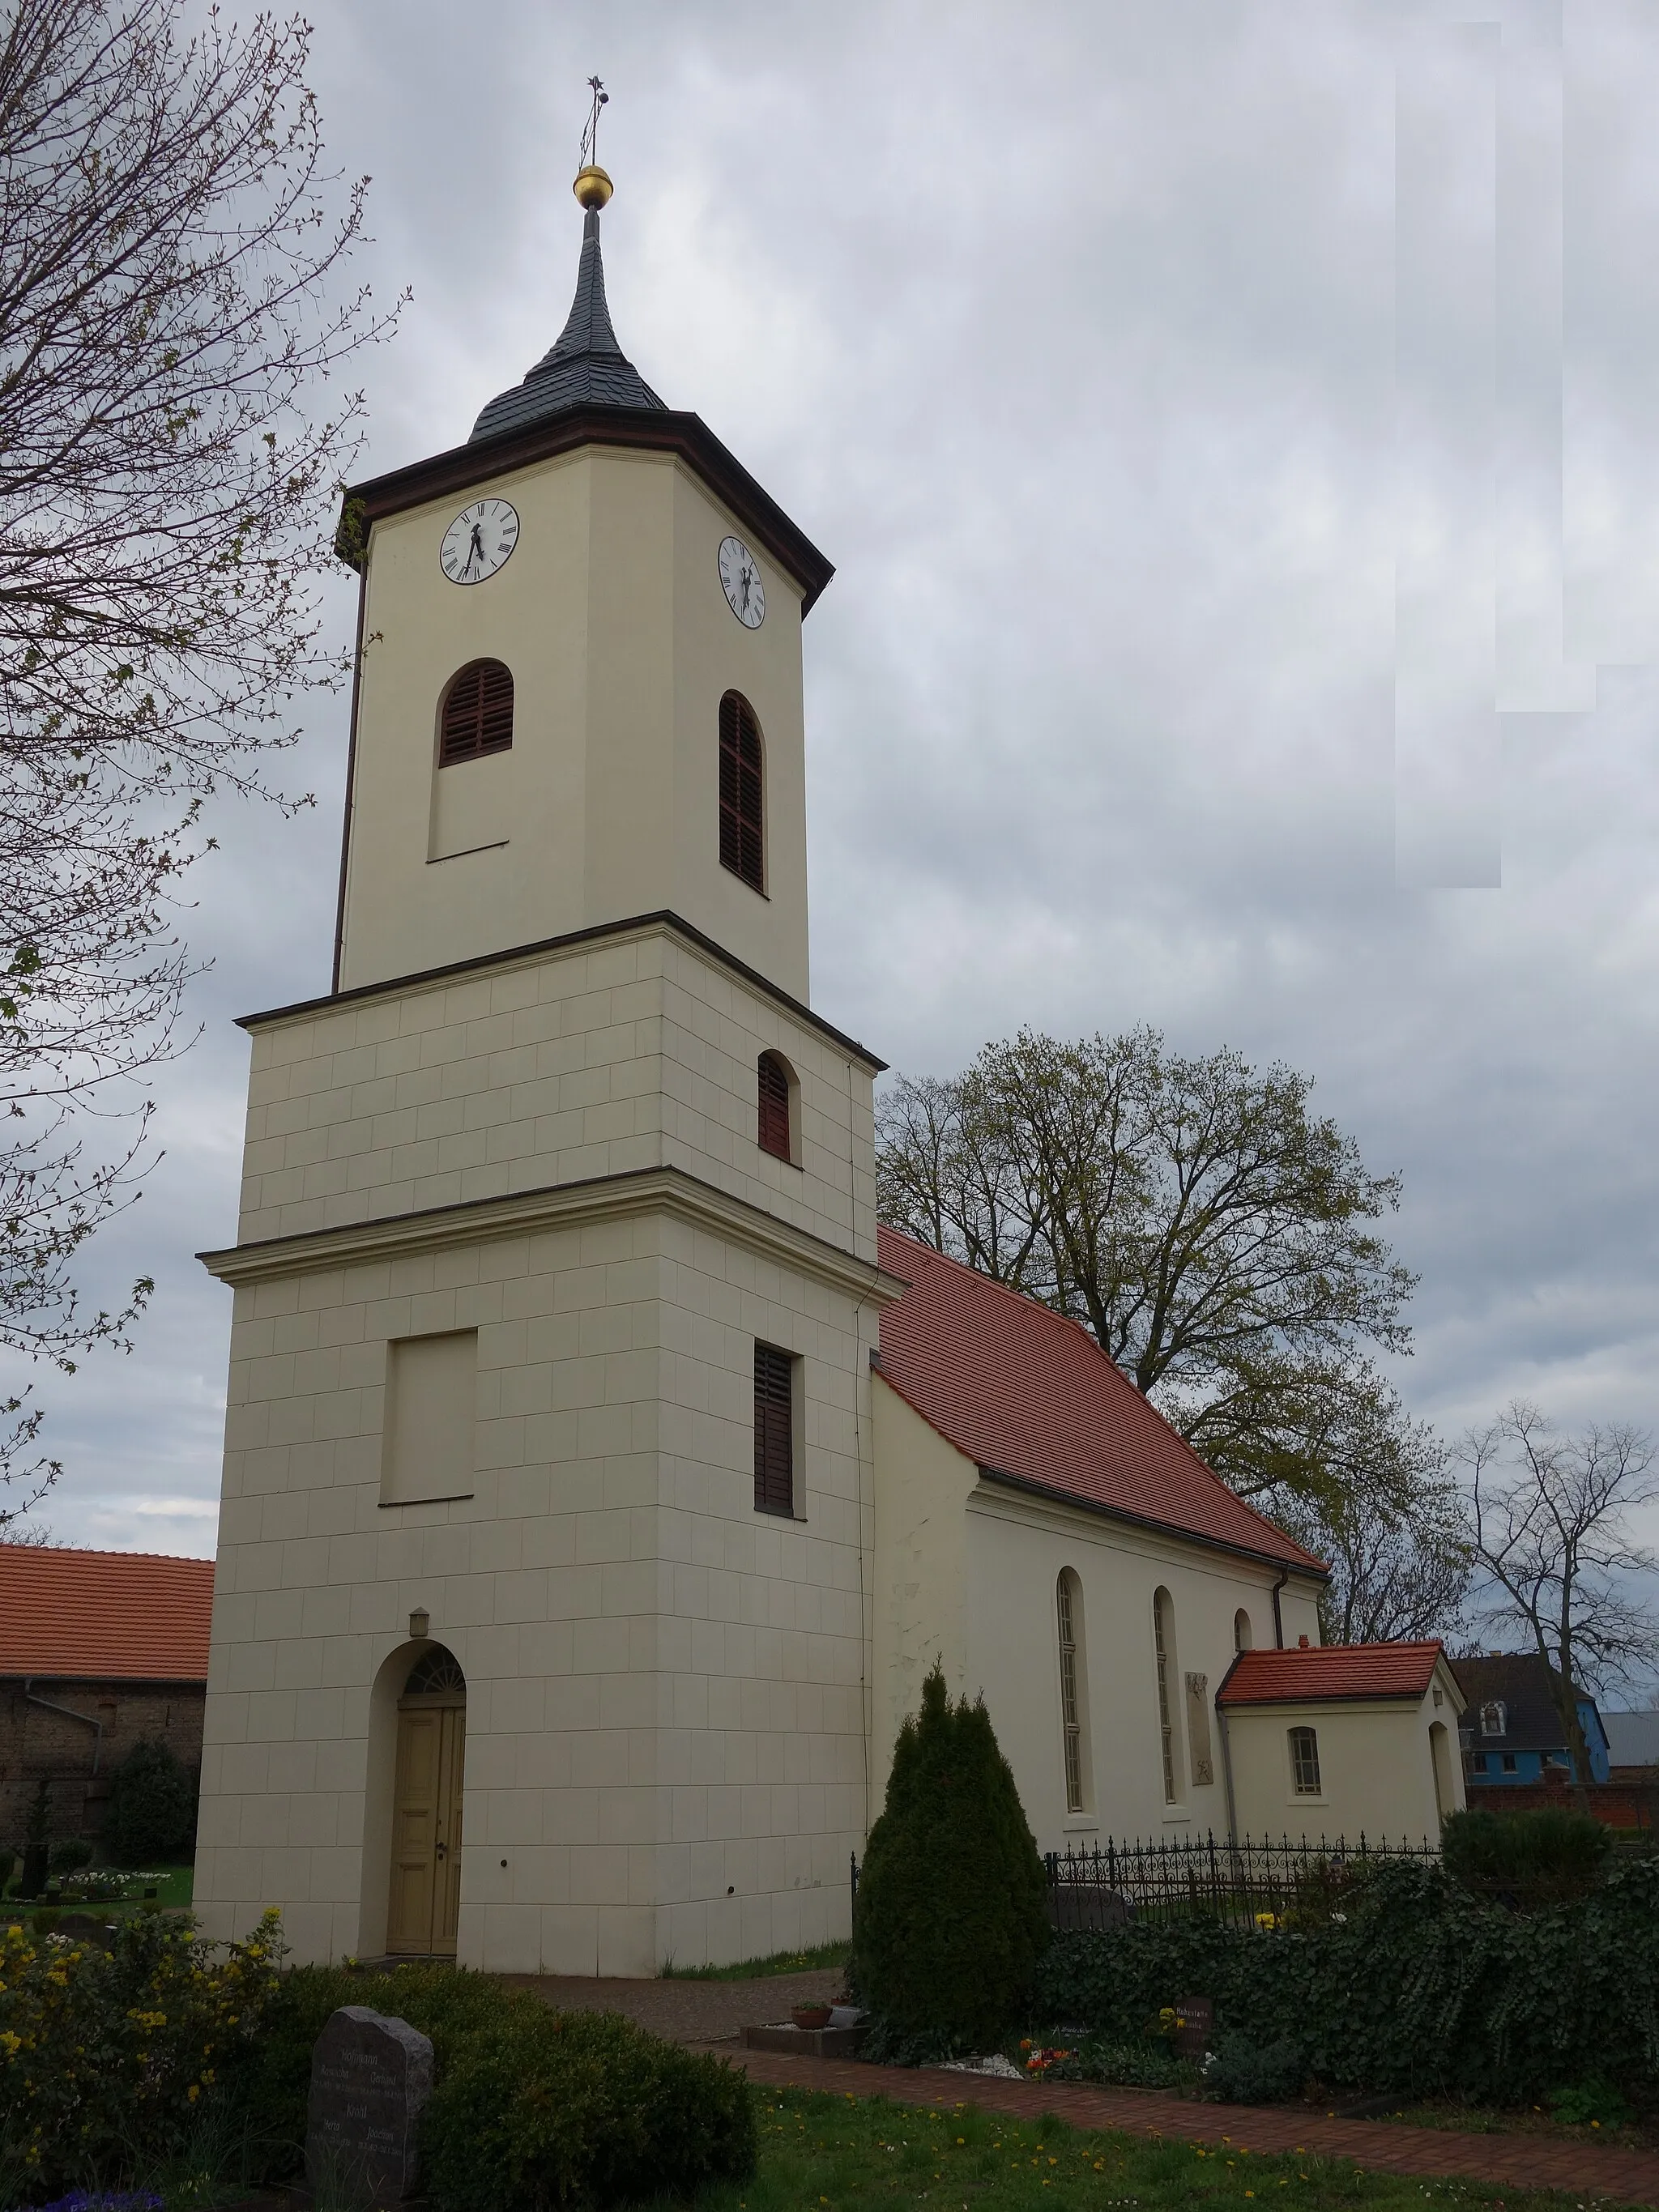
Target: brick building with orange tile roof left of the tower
x,y
98,1651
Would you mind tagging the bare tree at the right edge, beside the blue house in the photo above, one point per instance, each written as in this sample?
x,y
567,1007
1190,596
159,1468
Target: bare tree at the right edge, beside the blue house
x,y
1550,1532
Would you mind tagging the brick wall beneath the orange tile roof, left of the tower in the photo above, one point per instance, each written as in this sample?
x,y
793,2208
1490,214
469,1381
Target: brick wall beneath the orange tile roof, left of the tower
x,y
36,1742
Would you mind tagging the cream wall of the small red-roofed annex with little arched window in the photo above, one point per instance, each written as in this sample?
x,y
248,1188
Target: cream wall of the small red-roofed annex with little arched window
x,y
1375,1760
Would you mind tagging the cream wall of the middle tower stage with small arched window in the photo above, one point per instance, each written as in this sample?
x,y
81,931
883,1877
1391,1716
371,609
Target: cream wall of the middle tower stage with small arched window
x,y
609,1058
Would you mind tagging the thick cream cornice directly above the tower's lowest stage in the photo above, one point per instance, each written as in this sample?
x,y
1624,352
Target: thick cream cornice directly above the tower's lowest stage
x,y
525,1213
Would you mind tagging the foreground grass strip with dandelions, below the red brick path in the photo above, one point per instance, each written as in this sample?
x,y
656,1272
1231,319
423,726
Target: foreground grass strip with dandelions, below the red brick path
x,y
828,2153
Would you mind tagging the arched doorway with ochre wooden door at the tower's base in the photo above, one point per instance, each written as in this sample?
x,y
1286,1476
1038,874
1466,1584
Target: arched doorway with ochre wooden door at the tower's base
x,y
426,1808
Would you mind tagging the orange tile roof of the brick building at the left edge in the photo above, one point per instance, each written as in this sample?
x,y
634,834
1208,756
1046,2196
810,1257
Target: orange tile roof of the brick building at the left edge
x,y
103,1616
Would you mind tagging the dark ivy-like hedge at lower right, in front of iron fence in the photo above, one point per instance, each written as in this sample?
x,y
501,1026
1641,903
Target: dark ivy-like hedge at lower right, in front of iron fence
x,y
1415,1987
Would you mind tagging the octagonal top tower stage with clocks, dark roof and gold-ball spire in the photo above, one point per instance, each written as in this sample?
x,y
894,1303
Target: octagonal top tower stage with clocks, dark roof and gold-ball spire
x,y
618,576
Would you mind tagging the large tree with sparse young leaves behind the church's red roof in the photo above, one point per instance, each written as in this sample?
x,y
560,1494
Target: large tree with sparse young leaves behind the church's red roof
x,y
1200,1222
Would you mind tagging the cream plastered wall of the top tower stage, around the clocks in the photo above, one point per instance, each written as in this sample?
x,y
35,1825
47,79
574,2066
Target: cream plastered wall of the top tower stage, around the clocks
x,y
616,629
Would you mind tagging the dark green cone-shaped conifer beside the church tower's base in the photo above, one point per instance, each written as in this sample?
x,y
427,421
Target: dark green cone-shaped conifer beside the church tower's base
x,y
952,1901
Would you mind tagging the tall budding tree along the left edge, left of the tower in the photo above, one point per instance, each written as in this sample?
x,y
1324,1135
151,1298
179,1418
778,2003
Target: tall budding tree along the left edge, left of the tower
x,y
169,317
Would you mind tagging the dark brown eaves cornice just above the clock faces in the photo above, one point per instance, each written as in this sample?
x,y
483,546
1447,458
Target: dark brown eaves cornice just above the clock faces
x,y
656,430
